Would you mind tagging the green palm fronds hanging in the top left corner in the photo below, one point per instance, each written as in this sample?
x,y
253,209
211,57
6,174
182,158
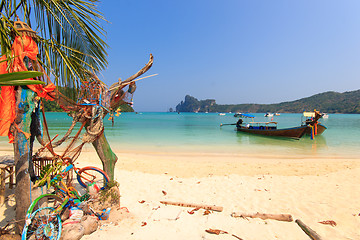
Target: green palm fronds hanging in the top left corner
x,y
70,36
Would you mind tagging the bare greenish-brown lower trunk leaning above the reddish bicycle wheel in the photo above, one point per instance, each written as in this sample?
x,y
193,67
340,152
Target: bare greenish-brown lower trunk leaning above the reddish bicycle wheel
x,y
106,155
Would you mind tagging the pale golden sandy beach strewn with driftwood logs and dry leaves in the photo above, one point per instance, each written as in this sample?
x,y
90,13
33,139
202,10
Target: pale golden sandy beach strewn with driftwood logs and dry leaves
x,y
312,190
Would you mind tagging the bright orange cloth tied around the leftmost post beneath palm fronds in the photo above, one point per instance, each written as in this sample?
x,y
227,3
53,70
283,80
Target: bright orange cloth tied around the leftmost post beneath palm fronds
x,y
22,47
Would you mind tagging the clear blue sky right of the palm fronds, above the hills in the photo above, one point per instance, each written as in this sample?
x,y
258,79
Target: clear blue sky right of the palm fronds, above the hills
x,y
233,51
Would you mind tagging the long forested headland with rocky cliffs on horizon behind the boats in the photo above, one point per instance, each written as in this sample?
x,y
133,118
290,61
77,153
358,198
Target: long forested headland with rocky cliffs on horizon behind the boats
x,y
329,102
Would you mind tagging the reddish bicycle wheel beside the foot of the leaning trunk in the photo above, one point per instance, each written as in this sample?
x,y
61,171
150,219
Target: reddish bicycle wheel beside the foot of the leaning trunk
x,y
89,175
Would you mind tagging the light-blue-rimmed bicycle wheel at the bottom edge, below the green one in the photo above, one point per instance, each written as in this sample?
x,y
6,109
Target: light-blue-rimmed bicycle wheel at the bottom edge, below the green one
x,y
43,224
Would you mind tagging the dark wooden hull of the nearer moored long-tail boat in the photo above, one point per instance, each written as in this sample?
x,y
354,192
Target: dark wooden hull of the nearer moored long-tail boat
x,y
296,132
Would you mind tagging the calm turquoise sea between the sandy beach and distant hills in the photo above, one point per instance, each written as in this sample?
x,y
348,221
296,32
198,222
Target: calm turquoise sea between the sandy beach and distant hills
x,y
201,133
